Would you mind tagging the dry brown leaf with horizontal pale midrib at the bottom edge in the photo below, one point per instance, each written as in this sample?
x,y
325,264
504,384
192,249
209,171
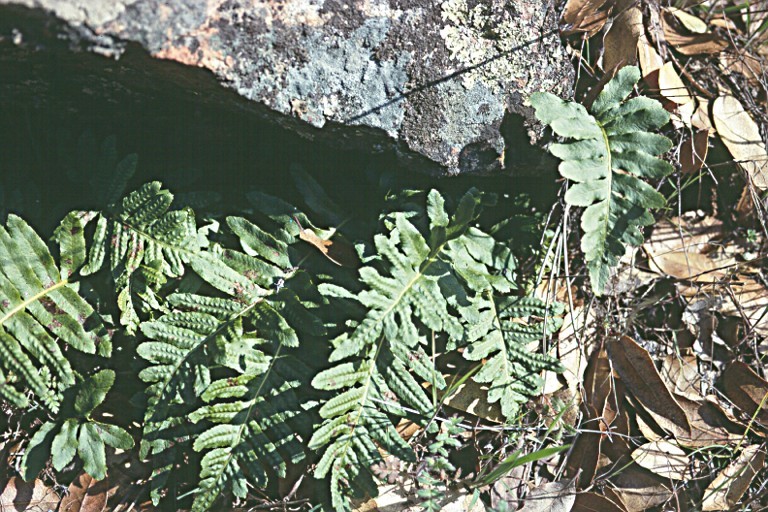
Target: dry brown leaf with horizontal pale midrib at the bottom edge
x,y
639,489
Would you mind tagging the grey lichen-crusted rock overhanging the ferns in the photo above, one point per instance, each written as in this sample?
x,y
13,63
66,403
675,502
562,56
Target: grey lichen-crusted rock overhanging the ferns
x,y
435,81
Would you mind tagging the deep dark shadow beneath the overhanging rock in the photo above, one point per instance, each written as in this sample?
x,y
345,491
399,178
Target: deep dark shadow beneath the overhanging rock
x,y
189,133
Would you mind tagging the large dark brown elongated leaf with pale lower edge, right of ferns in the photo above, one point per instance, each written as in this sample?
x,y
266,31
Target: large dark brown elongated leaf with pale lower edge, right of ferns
x,y
638,373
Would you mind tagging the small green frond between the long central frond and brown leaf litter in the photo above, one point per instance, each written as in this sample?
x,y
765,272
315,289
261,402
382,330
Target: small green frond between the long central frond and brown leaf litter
x,y
502,330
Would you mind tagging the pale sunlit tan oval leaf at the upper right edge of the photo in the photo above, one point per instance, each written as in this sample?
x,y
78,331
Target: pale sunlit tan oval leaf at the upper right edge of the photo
x,y
741,135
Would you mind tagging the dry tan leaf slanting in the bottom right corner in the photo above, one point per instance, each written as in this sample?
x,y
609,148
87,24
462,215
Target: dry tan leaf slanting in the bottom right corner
x,y
728,487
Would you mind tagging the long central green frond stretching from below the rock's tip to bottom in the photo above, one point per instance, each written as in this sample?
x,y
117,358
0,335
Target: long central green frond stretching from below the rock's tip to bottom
x,y
417,285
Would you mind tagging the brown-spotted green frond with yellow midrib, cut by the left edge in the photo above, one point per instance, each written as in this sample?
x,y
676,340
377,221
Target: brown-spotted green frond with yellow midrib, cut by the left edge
x,y
38,307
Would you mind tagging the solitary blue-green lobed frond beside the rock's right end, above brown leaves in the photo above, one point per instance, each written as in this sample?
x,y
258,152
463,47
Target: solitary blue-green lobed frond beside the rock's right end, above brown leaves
x,y
612,153
